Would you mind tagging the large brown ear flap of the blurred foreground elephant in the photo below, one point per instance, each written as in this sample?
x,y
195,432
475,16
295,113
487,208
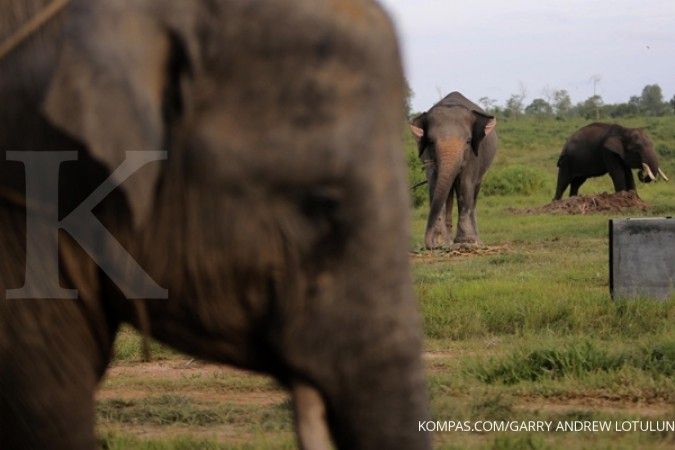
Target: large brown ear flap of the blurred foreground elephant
x,y
109,88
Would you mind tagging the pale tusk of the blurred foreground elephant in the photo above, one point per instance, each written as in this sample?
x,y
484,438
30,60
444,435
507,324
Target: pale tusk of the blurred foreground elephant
x,y
310,418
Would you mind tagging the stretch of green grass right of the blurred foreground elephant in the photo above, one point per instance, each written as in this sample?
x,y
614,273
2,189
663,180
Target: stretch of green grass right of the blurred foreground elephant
x,y
537,321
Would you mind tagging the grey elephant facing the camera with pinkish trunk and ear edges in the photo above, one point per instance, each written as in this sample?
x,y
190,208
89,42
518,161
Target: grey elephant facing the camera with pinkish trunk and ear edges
x,y
457,142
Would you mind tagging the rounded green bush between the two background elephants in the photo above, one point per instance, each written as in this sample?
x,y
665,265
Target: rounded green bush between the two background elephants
x,y
513,180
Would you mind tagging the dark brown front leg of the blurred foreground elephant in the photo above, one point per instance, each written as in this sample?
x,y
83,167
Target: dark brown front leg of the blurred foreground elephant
x,y
52,352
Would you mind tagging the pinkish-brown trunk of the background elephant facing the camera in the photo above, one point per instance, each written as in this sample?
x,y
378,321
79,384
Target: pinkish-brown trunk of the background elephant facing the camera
x,y
449,155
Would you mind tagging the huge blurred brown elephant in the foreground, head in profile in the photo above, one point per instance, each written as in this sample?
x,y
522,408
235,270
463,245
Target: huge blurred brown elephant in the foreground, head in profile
x,y
278,223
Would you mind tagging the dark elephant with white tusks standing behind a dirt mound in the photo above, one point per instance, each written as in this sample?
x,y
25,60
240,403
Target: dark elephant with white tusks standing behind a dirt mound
x,y
601,148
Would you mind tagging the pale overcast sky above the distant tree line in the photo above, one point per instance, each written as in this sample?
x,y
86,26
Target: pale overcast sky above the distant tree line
x,y
491,47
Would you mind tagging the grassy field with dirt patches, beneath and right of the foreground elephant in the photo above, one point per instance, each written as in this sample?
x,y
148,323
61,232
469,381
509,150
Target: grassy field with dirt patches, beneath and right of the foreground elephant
x,y
527,333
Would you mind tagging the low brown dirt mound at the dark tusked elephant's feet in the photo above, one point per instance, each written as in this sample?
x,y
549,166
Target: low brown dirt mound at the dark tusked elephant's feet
x,y
583,204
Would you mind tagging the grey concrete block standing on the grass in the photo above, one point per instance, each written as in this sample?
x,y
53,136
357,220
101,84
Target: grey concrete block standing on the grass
x,y
642,258
